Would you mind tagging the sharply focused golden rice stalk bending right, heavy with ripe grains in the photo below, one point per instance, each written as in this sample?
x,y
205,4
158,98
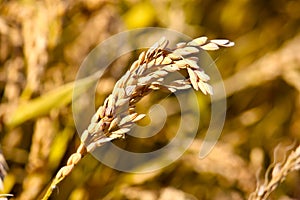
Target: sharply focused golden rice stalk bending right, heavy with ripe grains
x,y
117,115
